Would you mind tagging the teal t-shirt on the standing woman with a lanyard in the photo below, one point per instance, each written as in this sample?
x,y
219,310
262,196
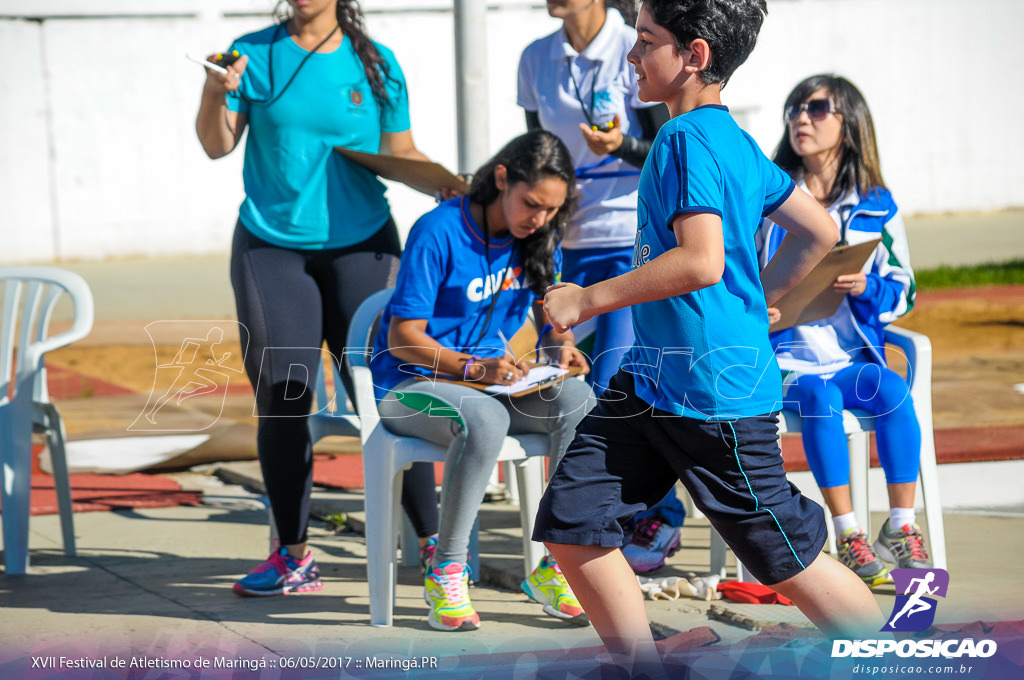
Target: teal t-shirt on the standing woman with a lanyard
x,y
300,192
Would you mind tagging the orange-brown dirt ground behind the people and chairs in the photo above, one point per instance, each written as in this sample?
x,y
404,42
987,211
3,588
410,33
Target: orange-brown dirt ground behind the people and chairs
x,y
977,338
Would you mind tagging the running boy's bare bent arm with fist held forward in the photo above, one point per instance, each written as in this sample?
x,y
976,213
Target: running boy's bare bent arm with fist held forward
x,y
697,263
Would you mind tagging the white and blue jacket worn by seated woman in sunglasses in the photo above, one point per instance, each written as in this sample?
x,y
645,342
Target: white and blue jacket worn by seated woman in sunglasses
x,y
858,327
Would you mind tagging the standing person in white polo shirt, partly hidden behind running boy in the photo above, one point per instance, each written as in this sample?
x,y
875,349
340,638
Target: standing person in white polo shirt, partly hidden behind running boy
x,y
577,83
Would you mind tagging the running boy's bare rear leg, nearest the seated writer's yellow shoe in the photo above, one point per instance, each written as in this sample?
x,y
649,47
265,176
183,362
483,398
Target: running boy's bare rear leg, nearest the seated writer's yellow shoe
x,y
608,589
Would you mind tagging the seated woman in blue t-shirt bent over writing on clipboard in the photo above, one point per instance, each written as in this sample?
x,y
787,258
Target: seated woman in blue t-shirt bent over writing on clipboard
x,y
474,269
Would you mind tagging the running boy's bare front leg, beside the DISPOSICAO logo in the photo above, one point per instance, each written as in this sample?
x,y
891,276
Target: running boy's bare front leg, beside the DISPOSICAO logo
x,y
834,599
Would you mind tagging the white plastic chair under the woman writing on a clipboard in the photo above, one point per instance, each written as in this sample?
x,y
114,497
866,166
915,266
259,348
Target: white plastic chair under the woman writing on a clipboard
x,y
387,455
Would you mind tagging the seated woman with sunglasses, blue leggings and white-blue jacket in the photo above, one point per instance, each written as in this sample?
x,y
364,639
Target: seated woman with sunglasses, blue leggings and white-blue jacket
x,y
839,363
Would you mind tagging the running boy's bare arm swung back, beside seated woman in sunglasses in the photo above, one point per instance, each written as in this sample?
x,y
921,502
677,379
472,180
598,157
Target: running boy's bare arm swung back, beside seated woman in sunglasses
x,y
810,234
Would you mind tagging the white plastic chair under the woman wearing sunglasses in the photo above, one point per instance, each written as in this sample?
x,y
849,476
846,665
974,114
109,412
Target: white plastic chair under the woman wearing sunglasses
x,y
859,424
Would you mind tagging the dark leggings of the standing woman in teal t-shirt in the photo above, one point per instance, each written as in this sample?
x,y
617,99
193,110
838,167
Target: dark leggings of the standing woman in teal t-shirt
x,y
289,303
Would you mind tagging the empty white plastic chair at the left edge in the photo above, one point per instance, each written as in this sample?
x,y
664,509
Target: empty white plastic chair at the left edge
x,y
30,295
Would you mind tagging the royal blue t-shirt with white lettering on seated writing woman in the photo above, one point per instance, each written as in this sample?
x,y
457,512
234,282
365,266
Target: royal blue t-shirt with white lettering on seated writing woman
x,y
446,279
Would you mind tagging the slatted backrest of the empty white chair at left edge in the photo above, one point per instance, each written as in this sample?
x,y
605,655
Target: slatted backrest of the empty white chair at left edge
x,y
30,295
